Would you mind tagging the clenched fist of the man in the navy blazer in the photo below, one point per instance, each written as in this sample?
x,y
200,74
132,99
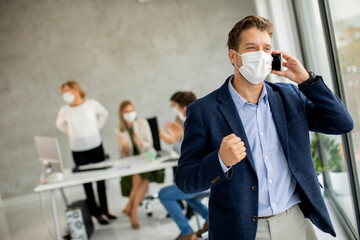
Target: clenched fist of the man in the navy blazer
x,y
232,150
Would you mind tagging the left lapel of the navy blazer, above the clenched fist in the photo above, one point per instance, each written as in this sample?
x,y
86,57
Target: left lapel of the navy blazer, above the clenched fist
x,y
229,111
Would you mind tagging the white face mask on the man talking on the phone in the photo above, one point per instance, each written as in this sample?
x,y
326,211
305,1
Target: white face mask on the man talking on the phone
x,y
256,66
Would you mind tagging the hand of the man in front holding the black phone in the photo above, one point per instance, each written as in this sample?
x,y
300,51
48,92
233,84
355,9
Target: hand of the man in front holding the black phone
x,y
295,70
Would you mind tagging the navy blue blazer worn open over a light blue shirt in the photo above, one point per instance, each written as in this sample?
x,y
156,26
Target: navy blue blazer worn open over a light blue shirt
x,y
233,203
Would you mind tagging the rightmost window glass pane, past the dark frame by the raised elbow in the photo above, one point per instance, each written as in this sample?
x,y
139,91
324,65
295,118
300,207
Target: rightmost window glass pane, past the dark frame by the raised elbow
x,y
345,18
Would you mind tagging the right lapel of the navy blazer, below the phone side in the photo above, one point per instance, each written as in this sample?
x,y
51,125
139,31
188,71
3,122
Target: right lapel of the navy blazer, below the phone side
x,y
278,113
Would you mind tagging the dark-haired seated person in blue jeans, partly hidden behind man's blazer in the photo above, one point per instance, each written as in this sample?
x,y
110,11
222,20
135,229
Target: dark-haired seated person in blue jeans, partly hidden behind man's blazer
x,y
170,195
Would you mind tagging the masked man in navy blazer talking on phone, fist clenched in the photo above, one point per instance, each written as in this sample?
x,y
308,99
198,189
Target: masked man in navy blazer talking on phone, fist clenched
x,y
249,142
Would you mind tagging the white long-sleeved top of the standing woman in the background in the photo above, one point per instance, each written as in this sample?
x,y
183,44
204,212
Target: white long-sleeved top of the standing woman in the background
x,y
82,124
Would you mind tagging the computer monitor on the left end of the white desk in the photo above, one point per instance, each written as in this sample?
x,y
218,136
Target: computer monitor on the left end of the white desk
x,y
48,150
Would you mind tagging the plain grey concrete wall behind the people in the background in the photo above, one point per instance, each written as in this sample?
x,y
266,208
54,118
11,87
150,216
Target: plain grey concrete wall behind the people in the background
x,y
116,49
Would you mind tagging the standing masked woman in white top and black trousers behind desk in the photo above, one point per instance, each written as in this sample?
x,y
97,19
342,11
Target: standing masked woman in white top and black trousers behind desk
x,y
81,119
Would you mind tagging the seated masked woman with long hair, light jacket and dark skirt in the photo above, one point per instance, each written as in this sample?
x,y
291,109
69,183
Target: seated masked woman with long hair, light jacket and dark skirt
x,y
133,137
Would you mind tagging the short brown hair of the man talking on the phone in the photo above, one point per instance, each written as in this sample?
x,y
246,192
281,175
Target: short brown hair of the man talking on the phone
x,y
234,37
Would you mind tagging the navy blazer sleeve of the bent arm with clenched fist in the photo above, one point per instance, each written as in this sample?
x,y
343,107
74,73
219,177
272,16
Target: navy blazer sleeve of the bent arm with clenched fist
x,y
198,168
